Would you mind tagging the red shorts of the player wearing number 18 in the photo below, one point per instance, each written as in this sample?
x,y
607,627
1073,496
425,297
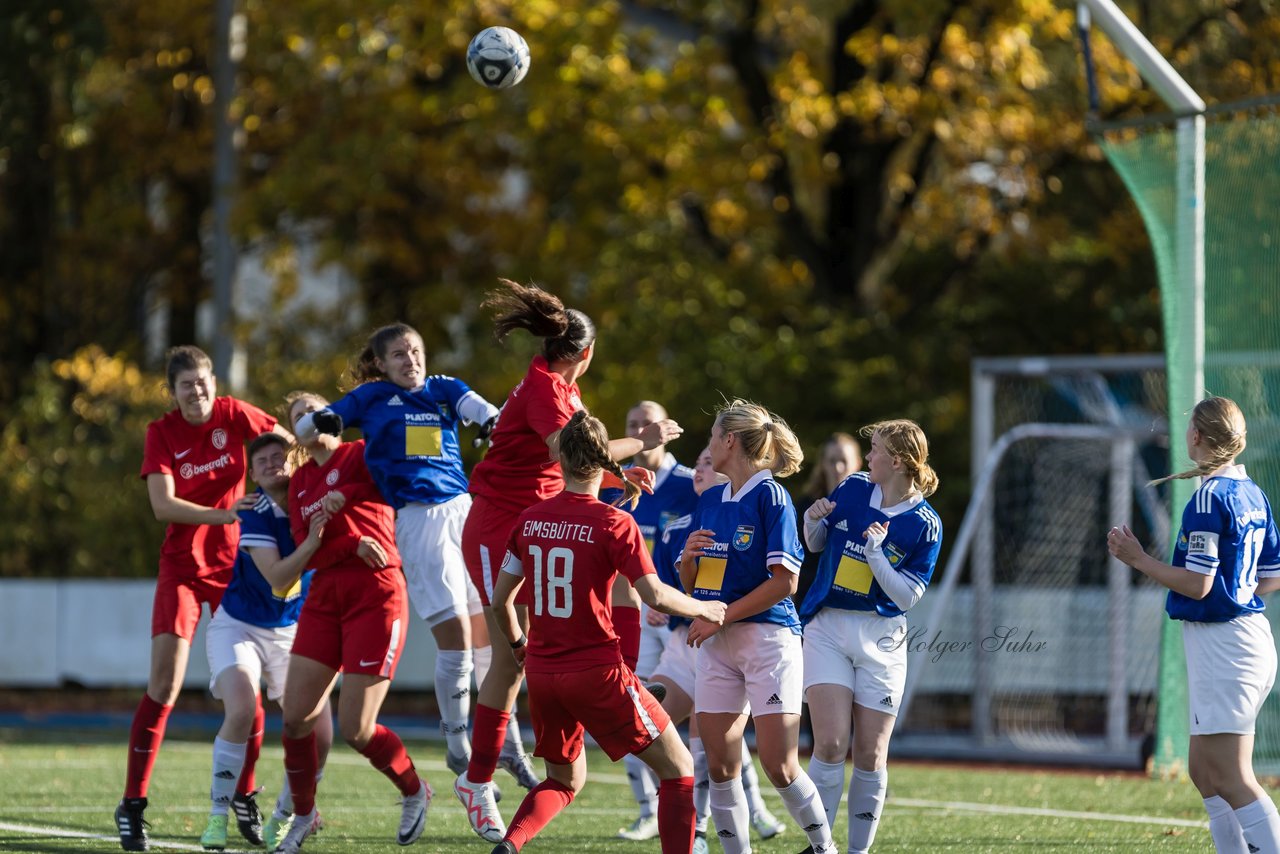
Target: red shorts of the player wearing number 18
x,y
609,702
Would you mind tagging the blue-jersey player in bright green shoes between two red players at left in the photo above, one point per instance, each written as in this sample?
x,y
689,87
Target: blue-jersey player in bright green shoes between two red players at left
x,y
250,638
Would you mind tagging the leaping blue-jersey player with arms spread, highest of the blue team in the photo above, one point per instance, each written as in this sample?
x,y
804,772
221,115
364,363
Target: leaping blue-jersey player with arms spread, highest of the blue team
x,y
412,422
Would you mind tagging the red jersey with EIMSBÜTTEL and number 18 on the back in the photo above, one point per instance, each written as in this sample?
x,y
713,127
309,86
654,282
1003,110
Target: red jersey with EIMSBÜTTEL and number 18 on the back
x,y
568,550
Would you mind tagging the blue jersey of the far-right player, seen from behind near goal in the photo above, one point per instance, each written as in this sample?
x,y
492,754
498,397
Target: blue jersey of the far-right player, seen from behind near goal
x,y
1228,533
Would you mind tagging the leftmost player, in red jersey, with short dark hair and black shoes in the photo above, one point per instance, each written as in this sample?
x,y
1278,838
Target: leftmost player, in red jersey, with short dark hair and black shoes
x,y
194,464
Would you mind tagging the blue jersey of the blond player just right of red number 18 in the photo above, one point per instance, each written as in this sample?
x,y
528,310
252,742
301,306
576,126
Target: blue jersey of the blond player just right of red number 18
x,y
753,531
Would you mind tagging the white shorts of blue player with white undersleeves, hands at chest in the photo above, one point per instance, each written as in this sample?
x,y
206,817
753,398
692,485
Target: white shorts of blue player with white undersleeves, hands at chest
x,y
849,649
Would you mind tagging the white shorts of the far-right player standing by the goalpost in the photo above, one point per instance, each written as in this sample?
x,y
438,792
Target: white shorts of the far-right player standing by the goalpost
x,y
1231,670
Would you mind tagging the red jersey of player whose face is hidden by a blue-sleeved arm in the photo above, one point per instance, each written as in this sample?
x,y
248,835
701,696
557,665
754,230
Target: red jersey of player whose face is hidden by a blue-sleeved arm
x,y
365,513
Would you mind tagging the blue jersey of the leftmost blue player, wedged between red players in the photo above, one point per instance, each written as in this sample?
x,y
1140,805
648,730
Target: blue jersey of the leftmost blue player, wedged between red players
x,y
250,597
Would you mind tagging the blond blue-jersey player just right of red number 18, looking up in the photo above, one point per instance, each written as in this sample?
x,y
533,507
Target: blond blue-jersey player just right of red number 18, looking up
x,y
744,550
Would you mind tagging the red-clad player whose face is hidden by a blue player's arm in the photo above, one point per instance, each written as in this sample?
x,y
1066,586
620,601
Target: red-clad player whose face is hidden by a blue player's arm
x,y
353,622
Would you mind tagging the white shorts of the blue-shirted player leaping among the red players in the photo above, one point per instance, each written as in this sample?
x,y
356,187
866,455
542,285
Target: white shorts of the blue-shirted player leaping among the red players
x,y
429,538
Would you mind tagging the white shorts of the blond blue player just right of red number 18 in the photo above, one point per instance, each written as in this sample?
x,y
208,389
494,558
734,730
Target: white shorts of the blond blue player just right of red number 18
x,y
751,663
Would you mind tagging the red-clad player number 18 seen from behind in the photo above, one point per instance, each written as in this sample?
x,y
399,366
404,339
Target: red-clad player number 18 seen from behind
x,y
570,549
